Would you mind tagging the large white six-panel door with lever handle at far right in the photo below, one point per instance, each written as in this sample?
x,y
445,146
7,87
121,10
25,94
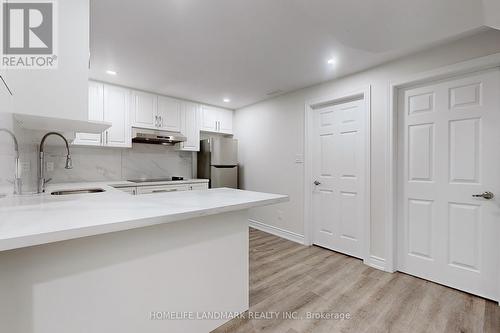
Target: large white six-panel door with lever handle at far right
x,y
449,151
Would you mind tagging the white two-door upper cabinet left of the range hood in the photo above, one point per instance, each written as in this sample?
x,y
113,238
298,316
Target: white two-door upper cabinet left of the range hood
x,y
111,104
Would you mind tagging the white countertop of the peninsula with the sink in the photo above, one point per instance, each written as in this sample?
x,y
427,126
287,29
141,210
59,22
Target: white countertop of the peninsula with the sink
x,y
40,219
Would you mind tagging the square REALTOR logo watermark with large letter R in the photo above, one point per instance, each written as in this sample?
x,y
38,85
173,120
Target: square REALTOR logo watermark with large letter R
x,y
29,34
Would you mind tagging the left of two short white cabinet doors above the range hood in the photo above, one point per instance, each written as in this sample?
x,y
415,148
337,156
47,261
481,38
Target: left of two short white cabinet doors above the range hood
x,y
144,110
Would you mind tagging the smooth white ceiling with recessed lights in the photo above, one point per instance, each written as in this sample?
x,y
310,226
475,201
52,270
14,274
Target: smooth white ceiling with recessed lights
x,y
206,50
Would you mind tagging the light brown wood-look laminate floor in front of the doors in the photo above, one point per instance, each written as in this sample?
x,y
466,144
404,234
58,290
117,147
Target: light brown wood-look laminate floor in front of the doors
x,y
290,279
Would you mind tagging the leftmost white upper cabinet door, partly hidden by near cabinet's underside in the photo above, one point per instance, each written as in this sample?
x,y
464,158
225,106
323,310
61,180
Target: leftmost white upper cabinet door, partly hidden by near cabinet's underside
x,y
96,112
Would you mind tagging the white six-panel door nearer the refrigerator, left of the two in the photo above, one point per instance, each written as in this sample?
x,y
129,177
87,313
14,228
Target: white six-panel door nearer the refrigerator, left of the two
x,y
339,166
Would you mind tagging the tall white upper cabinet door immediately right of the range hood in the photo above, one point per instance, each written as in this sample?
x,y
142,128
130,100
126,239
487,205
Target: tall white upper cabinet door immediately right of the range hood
x,y
190,127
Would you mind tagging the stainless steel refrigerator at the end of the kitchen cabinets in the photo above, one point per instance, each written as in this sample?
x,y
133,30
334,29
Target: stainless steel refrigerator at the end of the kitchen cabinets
x,y
218,162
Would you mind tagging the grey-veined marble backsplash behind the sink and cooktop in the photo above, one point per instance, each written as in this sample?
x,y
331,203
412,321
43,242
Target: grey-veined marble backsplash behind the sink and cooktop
x,y
95,164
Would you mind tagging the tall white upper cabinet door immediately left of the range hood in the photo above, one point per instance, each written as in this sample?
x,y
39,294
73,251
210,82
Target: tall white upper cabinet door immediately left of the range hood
x,y
116,111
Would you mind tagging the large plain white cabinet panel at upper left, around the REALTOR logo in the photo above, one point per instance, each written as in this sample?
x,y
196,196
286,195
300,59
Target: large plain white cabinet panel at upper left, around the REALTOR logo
x,y
60,92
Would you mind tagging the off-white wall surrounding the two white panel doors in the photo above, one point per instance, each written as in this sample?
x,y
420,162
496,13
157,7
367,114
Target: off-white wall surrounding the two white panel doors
x,y
271,133
